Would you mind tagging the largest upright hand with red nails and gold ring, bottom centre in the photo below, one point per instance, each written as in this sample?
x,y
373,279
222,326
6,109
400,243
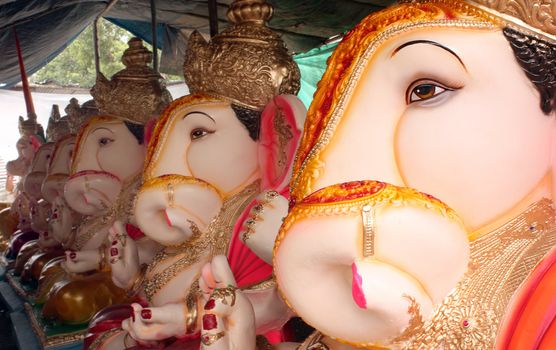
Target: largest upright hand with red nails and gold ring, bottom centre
x,y
228,321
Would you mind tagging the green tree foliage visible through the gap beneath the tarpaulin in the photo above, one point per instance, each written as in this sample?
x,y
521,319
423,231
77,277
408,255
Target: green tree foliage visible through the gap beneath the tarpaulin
x,y
76,64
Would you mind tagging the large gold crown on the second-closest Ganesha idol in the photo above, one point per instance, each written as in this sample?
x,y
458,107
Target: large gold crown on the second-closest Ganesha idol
x,y
246,63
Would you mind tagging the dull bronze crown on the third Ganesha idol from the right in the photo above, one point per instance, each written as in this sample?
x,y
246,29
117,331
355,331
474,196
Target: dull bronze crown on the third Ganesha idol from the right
x,y
136,93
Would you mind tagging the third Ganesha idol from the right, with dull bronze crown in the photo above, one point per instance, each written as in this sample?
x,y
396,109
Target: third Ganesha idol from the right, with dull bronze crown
x,y
105,175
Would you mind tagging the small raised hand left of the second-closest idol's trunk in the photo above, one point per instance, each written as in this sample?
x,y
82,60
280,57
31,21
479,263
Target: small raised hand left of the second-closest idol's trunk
x,y
123,257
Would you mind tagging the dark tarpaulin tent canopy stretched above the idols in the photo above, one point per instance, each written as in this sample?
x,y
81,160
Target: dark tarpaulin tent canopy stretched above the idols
x,y
46,27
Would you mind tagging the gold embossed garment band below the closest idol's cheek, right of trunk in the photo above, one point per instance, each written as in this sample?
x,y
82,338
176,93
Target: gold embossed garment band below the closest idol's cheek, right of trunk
x,y
470,316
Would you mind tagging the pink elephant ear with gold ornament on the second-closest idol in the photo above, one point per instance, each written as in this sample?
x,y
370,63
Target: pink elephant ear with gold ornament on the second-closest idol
x,y
281,128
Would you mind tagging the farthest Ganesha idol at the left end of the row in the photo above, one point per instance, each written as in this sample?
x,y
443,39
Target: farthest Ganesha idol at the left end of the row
x,y
27,146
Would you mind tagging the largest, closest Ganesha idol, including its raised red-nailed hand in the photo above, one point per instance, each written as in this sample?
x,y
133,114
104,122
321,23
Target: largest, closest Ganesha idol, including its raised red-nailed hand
x,y
427,99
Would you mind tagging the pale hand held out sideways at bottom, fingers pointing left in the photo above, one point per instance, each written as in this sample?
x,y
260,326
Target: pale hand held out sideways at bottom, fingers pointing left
x,y
149,325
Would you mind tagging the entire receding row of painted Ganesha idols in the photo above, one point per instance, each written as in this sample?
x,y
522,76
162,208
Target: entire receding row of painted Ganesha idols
x,y
210,230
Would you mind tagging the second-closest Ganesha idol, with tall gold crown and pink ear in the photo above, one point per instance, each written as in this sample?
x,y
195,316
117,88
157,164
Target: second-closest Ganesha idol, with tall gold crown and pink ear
x,y
218,162
